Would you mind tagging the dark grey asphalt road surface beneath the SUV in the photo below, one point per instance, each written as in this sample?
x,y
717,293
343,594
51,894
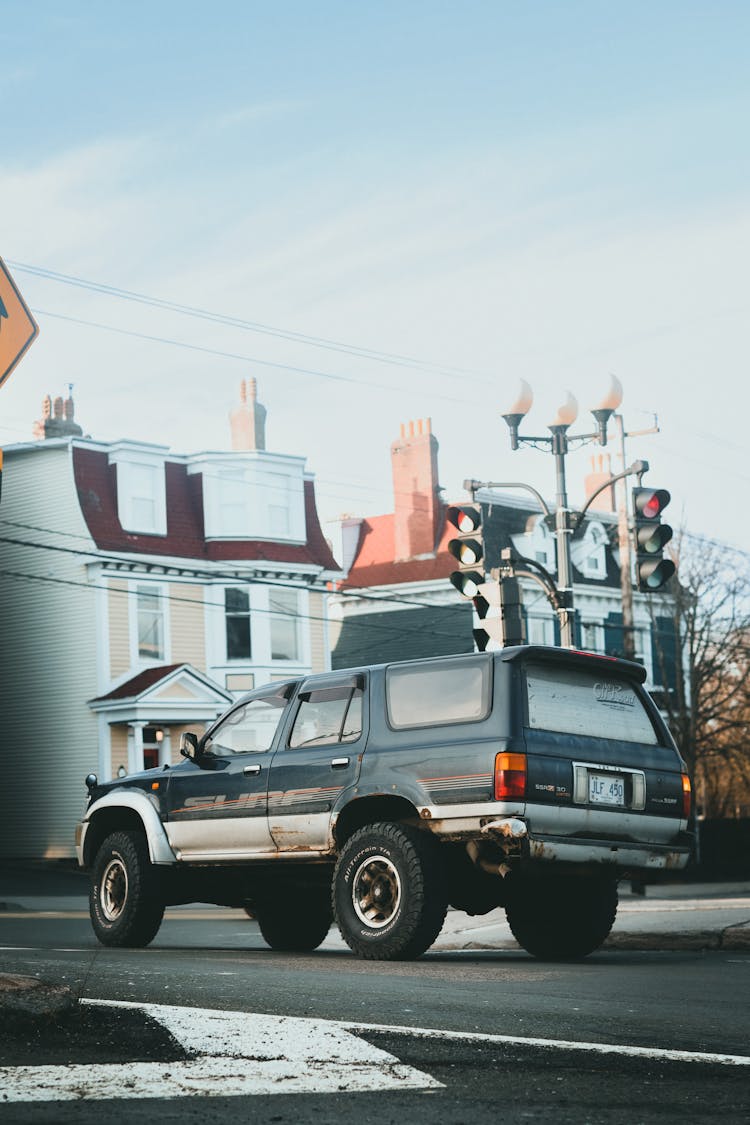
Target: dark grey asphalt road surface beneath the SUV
x,y
658,1002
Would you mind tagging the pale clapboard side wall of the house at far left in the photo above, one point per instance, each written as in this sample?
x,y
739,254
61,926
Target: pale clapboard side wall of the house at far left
x,y
48,656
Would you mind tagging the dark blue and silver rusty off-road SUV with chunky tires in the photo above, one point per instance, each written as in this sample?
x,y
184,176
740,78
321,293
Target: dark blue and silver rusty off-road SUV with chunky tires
x,y
531,779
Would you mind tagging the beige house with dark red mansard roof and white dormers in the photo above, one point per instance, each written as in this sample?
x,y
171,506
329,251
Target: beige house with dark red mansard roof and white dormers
x,y
141,592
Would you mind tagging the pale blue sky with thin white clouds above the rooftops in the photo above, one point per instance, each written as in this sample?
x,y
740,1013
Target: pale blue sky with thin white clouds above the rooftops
x,y
541,191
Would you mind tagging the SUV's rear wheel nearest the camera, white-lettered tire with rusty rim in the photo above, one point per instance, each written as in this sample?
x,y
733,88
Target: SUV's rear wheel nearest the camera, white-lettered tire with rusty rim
x,y
388,895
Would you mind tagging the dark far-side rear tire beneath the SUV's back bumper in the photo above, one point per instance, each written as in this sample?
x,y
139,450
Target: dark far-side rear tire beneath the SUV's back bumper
x,y
562,917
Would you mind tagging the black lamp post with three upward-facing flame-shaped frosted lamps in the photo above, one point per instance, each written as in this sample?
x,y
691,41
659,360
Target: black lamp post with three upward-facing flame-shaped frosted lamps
x,y
559,444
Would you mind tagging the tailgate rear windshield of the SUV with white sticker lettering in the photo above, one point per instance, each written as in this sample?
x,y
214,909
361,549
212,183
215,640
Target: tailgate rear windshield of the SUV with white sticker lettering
x,y
577,701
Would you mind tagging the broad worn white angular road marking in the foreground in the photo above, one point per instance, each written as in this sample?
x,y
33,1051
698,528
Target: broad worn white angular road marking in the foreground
x,y
234,1055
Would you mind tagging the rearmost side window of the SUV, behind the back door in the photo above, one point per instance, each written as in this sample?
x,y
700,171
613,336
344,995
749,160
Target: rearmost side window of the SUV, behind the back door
x,y
431,696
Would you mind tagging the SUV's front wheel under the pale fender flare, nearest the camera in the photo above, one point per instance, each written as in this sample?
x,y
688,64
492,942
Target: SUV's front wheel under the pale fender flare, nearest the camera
x,y
125,902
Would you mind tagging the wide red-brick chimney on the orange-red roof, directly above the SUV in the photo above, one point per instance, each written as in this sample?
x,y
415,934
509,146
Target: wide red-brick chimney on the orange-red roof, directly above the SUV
x,y
418,510
